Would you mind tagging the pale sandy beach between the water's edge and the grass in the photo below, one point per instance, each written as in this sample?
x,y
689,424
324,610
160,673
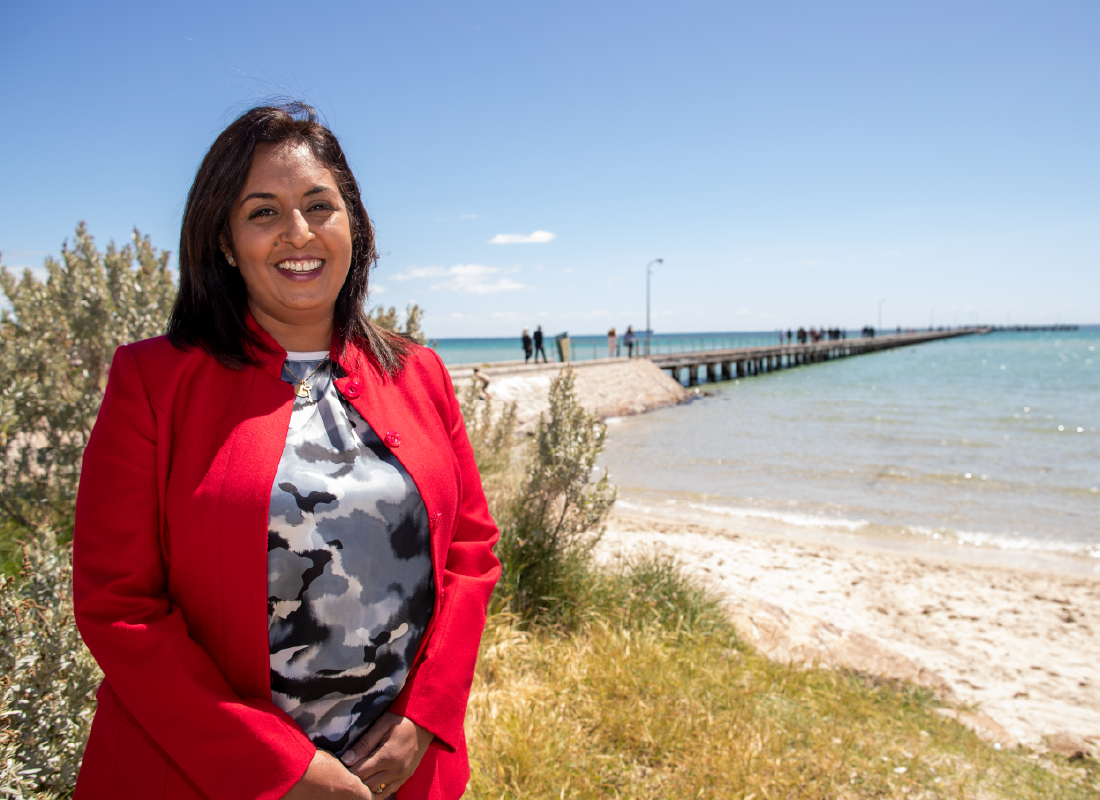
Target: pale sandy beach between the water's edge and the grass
x,y
1016,643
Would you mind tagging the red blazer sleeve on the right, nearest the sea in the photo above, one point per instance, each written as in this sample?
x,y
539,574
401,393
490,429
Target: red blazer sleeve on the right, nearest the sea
x,y
437,693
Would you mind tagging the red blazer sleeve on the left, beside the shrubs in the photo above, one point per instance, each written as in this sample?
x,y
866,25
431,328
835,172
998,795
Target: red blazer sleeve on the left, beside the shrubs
x,y
230,747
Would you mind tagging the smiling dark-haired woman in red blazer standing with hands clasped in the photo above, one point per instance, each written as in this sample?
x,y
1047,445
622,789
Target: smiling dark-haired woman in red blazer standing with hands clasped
x,y
283,554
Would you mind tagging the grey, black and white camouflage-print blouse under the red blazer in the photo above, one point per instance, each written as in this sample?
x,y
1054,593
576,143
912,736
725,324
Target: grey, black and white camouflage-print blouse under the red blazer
x,y
349,568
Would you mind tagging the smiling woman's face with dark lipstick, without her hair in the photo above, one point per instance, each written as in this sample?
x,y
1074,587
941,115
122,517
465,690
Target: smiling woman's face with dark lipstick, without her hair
x,y
292,237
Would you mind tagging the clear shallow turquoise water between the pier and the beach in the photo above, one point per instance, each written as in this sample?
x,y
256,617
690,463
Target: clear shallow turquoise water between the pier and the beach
x,y
984,446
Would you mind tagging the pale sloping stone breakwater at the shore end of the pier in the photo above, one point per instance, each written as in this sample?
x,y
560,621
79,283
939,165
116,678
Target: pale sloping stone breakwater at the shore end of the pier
x,y
608,388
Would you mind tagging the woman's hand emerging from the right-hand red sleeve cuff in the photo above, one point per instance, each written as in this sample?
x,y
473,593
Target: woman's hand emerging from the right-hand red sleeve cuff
x,y
388,754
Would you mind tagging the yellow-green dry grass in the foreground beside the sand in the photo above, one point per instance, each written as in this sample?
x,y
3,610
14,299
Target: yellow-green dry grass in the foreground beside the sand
x,y
635,706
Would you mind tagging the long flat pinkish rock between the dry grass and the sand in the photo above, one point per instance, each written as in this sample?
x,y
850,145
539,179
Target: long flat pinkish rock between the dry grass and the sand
x,y
790,637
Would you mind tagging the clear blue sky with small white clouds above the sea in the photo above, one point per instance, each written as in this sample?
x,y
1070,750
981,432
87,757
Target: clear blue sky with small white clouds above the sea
x,y
793,162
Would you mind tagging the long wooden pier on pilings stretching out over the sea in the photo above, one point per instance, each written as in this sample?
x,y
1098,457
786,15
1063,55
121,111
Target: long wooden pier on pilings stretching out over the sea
x,y
741,363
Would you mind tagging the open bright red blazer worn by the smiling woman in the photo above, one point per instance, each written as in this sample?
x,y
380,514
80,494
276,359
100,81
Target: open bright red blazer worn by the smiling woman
x,y
170,572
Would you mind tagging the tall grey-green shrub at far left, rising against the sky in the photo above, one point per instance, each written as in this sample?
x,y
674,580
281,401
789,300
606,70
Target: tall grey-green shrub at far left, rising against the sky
x,y
57,344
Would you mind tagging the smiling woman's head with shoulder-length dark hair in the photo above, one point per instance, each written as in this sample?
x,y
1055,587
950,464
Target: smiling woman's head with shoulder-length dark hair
x,y
276,179
